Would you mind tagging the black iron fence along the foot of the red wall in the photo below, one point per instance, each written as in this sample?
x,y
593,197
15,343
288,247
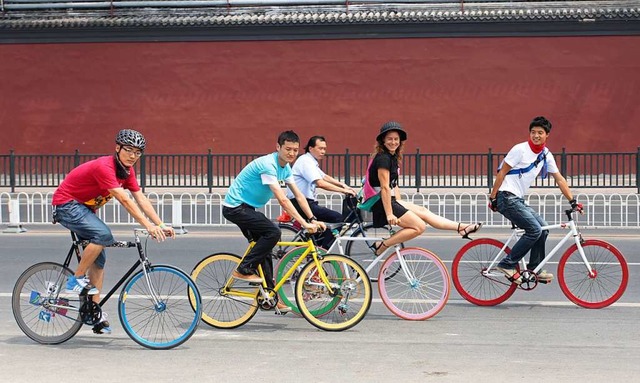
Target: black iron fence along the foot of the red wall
x,y
419,170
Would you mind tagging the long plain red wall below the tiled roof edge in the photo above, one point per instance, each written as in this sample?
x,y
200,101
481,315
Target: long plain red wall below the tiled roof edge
x,y
452,94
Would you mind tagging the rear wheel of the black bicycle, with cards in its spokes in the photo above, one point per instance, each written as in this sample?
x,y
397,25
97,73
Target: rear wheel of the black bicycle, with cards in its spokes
x,y
43,325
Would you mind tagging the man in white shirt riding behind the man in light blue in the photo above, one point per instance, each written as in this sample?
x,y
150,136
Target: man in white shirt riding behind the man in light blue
x,y
308,176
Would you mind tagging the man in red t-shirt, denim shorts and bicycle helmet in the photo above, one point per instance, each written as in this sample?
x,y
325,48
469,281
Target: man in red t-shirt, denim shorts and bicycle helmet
x,y
87,188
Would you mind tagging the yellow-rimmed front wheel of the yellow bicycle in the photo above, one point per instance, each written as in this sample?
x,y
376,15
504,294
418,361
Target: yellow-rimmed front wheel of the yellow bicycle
x,y
353,290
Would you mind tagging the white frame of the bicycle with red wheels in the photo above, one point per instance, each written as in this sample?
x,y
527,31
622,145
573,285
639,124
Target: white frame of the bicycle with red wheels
x,y
517,233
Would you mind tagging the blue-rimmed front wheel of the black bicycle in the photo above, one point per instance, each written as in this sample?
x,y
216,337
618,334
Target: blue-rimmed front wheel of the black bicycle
x,y
162,324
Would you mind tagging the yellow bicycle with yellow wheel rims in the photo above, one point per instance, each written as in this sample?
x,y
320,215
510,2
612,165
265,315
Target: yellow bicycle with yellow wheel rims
x,y
332,292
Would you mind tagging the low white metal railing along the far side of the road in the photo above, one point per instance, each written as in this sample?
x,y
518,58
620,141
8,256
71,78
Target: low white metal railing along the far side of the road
x,y
602,210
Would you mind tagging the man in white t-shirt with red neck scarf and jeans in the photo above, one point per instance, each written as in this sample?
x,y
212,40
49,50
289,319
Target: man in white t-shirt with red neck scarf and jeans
x,y
519,170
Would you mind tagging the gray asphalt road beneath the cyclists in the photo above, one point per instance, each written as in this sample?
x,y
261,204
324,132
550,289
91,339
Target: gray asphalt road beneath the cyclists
x,y
537,335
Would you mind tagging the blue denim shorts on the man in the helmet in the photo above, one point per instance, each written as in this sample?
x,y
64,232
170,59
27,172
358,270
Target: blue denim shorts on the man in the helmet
x,y
85,223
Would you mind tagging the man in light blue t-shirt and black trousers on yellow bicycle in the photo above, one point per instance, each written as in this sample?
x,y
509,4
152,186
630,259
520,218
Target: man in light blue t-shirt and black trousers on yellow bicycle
x,y
259,181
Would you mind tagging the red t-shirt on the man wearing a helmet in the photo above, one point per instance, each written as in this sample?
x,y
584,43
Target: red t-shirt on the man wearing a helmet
x,y
90,182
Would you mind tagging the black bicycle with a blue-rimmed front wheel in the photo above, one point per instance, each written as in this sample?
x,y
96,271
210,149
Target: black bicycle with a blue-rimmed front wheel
x,y
159,305
